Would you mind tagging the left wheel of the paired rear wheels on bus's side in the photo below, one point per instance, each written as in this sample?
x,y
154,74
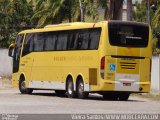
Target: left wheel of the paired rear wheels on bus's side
x,y
70,88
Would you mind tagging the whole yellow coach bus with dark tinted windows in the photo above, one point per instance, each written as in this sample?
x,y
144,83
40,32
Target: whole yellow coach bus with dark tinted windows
x,y
111,58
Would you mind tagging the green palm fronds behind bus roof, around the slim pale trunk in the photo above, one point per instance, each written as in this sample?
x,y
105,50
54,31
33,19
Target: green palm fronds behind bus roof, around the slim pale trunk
x,y
57,11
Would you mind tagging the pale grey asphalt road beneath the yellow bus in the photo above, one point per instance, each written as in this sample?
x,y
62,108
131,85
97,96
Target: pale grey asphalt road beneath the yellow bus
x,y
46,102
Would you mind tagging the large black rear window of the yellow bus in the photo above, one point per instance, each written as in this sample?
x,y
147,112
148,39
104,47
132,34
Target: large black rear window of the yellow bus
x,y
128,34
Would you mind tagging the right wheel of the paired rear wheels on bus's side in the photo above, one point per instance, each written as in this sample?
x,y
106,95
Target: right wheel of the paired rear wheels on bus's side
x,y
80,90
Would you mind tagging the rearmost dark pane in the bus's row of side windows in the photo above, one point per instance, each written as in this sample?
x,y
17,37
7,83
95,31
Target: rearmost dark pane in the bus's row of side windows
x,y
94,38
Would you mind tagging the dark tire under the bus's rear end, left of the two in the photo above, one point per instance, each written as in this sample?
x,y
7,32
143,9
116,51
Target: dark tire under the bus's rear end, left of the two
x,y
110,96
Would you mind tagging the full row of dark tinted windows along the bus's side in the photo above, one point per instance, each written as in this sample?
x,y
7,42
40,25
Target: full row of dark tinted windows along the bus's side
x,y
85,39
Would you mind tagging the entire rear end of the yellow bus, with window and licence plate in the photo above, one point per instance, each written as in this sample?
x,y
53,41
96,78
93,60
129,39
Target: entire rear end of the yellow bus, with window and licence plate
x,y
126,64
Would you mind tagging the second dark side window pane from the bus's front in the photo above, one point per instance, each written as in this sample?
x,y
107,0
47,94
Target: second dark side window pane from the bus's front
x,y
39,42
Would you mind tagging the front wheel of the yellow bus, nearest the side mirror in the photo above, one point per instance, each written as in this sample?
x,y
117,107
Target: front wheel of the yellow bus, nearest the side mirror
x,y
22,87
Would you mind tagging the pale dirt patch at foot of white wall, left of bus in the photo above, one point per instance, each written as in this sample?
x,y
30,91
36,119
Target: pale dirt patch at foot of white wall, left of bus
x,y
5,82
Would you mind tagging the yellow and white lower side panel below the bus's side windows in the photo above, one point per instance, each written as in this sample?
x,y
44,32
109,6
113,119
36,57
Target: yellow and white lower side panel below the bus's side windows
x,y
50,69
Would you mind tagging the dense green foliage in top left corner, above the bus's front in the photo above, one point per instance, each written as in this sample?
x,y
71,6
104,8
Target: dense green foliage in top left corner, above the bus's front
x,y
15,16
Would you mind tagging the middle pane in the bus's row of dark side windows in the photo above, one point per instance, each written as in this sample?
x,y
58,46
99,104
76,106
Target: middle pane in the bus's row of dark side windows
x,y
62,41
